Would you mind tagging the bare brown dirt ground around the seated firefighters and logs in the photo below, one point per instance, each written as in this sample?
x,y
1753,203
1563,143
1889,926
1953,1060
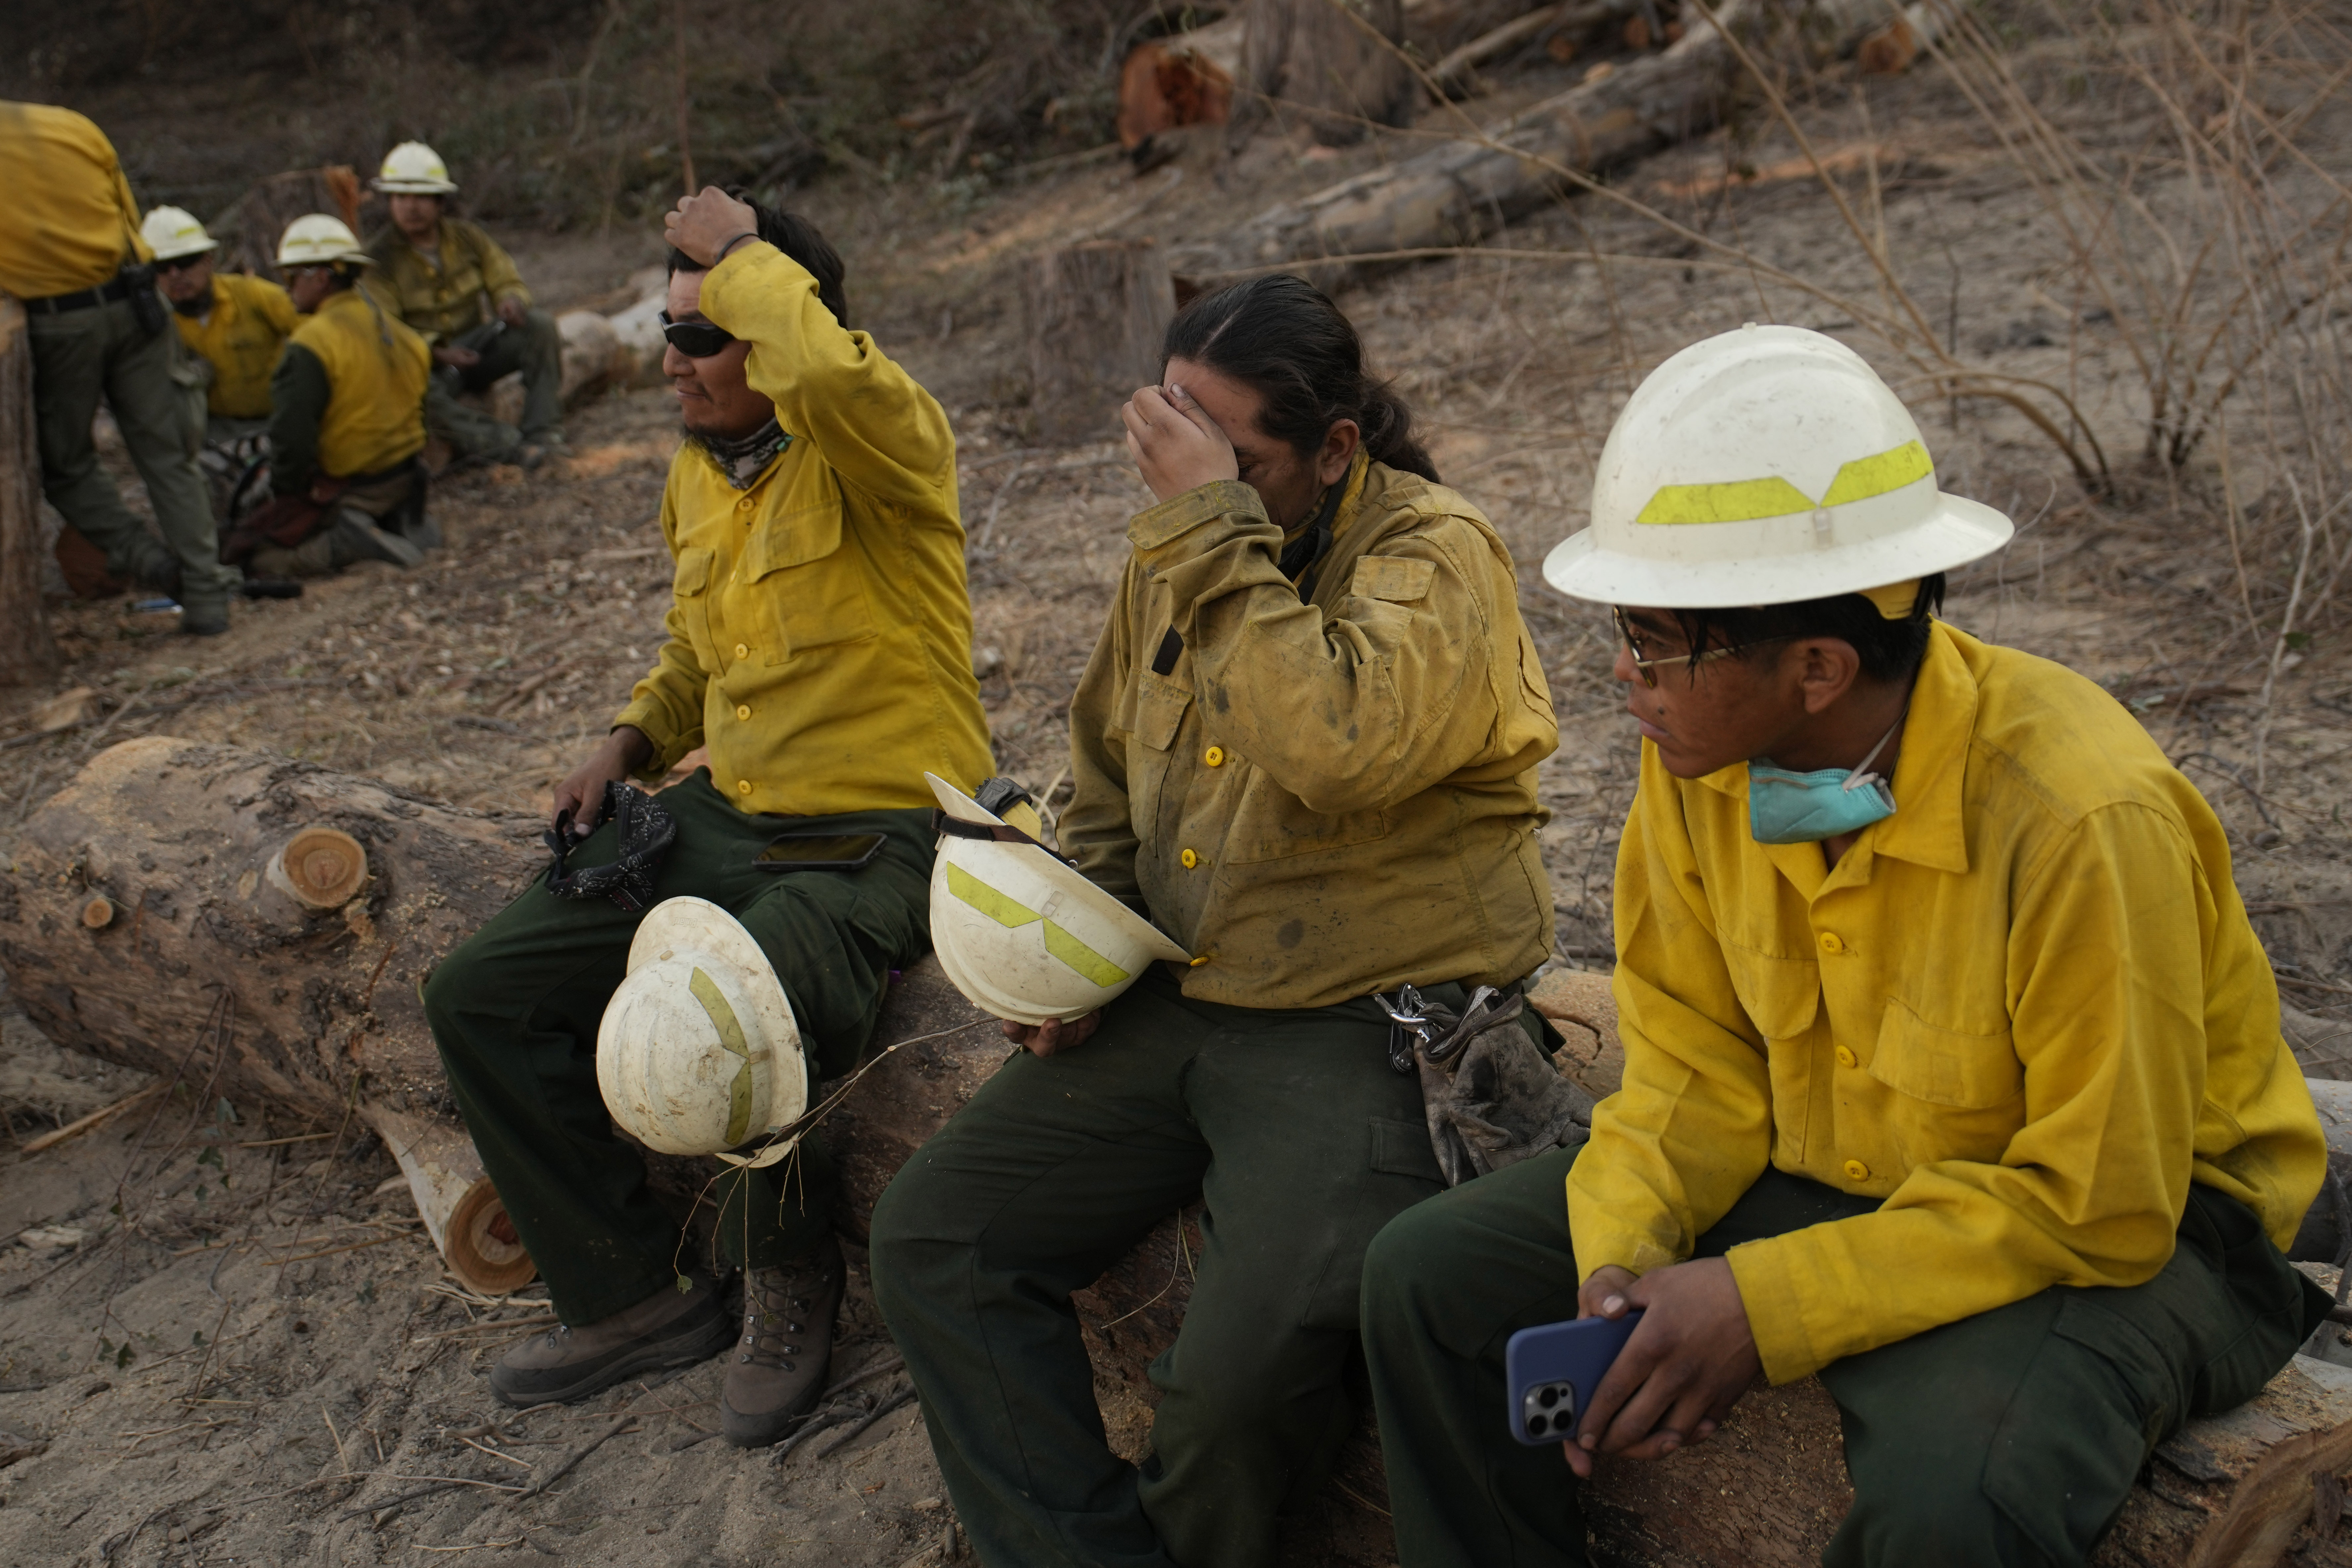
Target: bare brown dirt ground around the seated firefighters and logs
x,y
225,1341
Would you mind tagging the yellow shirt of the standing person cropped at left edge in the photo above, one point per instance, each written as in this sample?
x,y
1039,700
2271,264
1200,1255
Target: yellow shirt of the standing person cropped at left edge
x,y
69,215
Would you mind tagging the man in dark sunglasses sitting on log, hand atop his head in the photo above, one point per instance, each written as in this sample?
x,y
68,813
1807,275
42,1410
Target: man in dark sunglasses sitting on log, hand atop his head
x,y
822,650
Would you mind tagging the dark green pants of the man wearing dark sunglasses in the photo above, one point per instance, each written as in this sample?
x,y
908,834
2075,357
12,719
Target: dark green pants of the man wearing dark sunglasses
x,y
516,1014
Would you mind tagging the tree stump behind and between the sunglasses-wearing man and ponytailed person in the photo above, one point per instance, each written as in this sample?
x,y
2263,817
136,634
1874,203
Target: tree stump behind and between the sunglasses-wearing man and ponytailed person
x,y
1097,316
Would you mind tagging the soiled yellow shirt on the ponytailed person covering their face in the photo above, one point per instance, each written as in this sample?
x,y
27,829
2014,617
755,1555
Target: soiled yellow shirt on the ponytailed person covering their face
x,y
1328,798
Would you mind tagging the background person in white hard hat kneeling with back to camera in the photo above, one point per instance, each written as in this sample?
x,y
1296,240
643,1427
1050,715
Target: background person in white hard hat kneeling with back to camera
x,y
347,424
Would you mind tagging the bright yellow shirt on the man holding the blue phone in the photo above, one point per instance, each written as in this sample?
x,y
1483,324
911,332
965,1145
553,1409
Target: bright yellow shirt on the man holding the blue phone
x,y
2026,1012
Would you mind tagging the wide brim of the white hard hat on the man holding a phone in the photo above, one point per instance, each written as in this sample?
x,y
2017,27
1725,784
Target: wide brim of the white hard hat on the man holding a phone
x,y
1953,535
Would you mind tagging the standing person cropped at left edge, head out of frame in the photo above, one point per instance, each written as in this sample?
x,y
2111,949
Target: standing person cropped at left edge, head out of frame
x,y
74,255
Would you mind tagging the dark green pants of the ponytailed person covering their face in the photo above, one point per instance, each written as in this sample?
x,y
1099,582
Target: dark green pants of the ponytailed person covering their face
x,y
1302,1141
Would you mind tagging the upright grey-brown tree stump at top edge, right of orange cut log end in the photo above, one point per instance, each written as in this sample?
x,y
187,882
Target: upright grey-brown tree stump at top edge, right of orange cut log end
x,y
1328,62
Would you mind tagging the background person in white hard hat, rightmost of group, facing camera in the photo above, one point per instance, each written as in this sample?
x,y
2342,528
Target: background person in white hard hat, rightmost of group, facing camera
x,y
462,293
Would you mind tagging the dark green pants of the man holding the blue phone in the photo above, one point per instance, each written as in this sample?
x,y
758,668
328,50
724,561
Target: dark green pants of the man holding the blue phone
x,y
2007,1440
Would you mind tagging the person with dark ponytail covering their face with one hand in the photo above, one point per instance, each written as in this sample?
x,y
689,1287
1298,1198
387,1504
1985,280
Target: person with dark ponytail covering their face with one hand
x,y
1307,749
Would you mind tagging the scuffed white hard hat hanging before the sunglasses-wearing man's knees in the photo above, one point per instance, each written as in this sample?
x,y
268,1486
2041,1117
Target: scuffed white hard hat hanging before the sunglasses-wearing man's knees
x,y
700,1050
